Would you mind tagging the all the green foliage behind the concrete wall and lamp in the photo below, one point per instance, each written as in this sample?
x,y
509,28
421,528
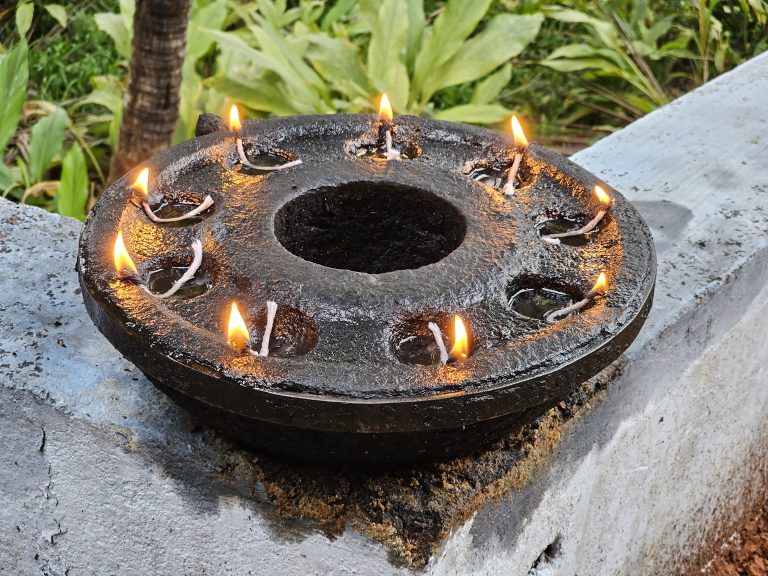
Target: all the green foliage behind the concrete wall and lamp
x,y
576,69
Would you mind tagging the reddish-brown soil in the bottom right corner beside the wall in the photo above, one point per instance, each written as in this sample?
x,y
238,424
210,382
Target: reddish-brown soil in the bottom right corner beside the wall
x,y
745,552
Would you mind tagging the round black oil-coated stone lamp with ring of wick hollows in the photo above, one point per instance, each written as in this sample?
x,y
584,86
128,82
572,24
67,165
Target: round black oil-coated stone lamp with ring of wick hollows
x,y
361,254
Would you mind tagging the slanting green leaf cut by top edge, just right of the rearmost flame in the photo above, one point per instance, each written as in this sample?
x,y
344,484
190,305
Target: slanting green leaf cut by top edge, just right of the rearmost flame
x,y
455,23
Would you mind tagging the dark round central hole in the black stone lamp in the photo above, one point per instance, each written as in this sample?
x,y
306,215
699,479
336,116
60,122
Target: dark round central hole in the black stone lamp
x,y
371,227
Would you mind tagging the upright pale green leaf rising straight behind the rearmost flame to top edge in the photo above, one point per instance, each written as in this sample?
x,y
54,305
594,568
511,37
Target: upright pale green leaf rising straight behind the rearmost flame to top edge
x,y
386,50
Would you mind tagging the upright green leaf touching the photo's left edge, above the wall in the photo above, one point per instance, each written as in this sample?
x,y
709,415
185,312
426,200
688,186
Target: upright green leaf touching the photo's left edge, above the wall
x,y
14,74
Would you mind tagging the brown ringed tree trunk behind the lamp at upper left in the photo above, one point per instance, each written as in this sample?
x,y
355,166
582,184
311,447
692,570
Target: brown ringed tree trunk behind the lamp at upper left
x,y
151,105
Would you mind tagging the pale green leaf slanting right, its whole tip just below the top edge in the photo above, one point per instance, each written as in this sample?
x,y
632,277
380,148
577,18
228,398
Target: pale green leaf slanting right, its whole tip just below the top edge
x,y
504,37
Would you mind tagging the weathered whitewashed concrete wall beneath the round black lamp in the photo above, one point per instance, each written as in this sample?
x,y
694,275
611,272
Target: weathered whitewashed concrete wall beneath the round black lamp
x,y
101,474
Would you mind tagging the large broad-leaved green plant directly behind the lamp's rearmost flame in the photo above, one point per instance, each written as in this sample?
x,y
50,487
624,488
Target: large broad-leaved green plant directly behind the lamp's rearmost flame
x,y
303,61
